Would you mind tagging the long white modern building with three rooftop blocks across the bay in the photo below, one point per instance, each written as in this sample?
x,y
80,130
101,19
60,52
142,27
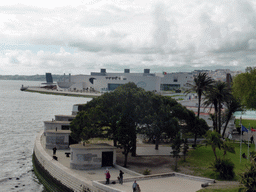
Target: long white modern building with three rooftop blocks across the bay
x,y
103,81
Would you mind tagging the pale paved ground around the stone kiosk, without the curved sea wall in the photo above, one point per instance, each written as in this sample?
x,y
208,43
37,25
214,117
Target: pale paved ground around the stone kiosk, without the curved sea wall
x,y
151,184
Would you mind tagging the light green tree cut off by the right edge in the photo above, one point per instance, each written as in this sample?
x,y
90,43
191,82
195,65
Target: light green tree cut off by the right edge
x,y
244,88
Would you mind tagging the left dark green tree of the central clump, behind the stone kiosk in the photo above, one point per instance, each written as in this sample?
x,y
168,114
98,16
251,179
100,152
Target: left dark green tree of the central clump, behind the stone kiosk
x,y
111,107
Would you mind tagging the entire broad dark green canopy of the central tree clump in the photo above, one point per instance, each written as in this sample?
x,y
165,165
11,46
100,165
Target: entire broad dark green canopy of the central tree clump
x,y
121,114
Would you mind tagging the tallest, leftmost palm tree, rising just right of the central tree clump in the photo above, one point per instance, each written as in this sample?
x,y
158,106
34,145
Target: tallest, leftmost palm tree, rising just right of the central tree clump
x,y
201,83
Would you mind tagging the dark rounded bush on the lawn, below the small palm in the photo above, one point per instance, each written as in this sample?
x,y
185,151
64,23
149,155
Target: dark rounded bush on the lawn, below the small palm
x,y
225,168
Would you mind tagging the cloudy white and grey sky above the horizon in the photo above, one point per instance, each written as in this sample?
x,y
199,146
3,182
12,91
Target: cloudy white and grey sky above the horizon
x,y
83,36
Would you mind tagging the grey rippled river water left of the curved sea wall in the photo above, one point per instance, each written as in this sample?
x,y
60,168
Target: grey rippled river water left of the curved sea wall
x,y
21,118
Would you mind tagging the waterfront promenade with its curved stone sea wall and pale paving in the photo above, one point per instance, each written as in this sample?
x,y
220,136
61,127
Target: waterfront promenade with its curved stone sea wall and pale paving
x,y
96,178
